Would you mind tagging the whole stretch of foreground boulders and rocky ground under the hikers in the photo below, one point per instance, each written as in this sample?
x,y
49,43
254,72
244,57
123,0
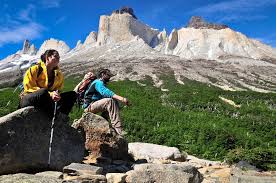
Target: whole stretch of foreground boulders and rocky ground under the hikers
x,y
24,154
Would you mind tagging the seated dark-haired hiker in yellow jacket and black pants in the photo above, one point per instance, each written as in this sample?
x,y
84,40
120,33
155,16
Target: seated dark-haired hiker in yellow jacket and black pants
x,y
43,83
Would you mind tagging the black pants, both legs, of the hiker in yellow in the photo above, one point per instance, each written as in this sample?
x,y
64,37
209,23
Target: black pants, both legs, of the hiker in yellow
x,y
41,99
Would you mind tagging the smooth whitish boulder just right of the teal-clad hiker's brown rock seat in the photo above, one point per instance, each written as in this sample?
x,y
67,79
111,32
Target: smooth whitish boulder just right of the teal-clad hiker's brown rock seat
x,y
151,152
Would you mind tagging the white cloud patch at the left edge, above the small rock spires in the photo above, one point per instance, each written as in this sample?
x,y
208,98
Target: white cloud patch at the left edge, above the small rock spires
x,y
19,33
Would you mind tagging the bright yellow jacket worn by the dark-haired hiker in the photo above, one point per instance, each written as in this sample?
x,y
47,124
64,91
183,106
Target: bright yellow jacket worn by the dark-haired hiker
x,y
33,83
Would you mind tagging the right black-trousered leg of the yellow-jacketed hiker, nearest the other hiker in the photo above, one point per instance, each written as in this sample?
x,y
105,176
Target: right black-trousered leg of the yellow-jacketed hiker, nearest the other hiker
x,y
67,101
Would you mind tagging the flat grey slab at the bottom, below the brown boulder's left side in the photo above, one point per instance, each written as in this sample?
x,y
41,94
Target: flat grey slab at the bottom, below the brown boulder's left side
x,y
81,169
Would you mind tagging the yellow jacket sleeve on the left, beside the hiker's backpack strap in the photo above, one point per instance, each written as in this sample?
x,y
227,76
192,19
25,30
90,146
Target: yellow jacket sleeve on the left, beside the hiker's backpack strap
x,y
30,80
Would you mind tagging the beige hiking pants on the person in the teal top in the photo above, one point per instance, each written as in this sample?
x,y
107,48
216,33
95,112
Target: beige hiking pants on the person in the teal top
x,y
112,107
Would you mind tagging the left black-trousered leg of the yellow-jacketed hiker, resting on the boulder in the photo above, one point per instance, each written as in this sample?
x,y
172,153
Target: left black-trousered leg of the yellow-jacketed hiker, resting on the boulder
x,y
39,99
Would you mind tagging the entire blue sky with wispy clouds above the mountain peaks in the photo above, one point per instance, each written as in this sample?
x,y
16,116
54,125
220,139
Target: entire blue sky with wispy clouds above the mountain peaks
x,y
71,20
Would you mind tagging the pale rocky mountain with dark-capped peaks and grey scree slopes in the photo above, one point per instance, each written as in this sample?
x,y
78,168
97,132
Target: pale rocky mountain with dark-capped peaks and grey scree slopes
x,y
206,52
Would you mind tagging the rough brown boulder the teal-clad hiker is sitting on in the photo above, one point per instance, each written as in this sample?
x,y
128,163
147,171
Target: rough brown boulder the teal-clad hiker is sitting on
x,y
101,139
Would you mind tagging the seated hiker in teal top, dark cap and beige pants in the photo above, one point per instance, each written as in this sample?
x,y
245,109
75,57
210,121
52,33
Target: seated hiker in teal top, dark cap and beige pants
x,y
99,98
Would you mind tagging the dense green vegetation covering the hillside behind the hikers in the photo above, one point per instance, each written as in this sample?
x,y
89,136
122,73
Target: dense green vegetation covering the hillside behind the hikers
x,y
193,118
